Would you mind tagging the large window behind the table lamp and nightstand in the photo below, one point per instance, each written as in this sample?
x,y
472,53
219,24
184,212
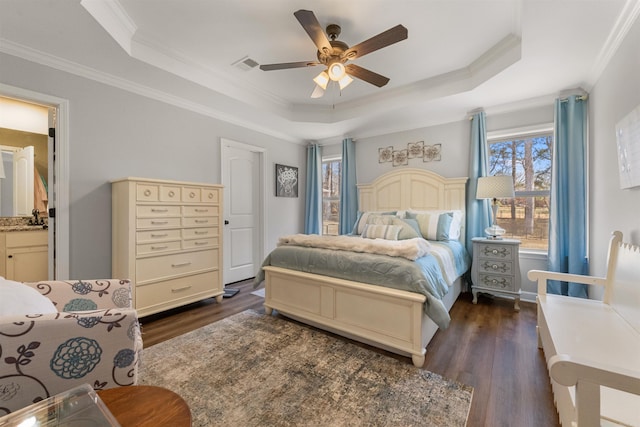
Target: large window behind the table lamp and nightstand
x,y
527,158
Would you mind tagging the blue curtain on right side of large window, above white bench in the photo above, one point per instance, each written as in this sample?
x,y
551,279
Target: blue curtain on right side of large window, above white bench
x,y
568,211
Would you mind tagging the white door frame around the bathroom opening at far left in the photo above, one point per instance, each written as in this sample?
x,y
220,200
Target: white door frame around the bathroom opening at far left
x,y
58,174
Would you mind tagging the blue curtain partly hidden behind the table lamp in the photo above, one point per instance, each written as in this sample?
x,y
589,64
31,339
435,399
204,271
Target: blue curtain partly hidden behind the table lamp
x,y
478,211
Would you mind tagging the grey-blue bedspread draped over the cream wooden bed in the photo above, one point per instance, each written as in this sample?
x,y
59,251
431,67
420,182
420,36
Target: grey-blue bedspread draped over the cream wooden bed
x,y
423,276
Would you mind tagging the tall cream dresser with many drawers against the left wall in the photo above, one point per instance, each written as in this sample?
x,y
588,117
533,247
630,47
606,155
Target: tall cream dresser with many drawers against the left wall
x,y
167,240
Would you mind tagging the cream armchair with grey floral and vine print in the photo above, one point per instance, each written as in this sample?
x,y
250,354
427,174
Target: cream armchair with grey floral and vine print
x,y
94,338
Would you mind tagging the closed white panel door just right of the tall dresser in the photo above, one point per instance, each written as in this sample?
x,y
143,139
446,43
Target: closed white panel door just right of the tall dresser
x,y
241,172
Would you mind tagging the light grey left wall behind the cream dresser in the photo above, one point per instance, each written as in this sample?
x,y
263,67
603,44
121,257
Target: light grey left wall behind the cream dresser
x,y
115,133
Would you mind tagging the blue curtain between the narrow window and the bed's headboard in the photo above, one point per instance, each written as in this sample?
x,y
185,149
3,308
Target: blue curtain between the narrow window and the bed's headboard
x,y
348,188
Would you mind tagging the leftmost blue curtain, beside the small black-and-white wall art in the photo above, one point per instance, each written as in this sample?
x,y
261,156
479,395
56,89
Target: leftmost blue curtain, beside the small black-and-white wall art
x,y
313,206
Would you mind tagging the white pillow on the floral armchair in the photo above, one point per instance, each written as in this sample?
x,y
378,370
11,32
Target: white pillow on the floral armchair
x,y
18,298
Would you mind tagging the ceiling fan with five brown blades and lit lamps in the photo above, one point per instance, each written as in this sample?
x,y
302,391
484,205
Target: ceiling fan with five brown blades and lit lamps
x,y
335,53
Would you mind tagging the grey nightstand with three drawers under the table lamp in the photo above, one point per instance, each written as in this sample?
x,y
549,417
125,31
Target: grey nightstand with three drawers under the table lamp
x,y
496,268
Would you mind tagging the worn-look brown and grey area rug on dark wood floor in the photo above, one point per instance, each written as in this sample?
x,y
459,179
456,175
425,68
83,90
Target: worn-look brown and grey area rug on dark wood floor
x,y
252,369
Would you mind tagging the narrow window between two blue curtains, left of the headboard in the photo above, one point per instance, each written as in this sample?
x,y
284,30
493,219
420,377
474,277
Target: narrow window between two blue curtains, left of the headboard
x,y
331,174
